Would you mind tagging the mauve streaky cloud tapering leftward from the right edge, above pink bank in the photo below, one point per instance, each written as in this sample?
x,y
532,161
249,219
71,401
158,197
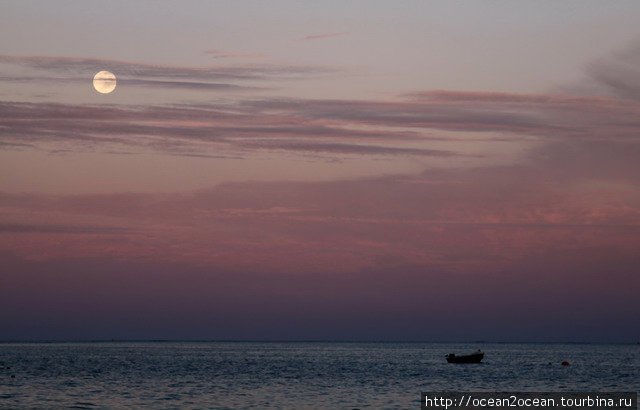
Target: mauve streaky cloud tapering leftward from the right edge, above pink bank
x,y
544,115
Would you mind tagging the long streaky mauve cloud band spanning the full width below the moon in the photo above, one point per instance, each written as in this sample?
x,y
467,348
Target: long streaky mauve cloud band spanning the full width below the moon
x,y
329,126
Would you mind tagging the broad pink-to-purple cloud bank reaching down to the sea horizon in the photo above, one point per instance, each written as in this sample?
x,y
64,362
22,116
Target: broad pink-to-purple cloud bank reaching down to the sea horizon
x,y
384,258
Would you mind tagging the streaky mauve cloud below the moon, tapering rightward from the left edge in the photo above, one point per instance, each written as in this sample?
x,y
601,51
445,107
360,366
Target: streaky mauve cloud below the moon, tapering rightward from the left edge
x,y
175,129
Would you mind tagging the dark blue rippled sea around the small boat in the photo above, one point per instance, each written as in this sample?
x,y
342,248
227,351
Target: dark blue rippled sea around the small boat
x,y
333,375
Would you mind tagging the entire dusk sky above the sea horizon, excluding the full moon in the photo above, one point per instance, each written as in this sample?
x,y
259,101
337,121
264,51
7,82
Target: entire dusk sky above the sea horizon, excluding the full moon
x,y
297,170
